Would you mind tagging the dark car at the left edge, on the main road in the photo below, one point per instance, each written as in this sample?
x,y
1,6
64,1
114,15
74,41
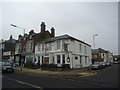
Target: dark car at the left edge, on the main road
x,y
7,67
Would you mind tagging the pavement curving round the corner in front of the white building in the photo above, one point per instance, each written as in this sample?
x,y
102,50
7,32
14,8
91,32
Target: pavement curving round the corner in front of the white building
x,y
82,72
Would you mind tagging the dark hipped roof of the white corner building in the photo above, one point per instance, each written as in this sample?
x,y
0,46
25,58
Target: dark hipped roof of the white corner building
x,y
61,37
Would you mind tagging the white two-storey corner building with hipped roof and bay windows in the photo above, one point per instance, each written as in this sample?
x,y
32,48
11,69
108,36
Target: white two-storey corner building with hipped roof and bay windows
x,y
63,50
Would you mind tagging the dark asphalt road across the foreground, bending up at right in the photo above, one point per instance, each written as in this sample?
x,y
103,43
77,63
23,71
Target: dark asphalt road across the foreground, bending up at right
x,y
105,78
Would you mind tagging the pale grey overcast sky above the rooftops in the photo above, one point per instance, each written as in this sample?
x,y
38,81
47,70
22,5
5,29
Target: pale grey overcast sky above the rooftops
x,y
80,20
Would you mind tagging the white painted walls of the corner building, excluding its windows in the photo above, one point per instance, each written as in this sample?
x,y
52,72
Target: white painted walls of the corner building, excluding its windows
x,y
73,51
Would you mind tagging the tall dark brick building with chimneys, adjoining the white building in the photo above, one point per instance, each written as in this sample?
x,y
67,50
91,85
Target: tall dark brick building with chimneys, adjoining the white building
x,y
25,47
